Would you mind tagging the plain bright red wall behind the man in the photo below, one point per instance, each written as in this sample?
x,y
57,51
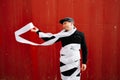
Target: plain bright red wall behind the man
x,y
98,19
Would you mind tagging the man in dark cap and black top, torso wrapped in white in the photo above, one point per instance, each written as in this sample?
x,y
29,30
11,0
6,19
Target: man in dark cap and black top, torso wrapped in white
x,y
69,53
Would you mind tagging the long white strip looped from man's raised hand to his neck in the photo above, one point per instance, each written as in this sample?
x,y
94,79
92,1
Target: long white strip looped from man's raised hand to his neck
x,y
49,42
